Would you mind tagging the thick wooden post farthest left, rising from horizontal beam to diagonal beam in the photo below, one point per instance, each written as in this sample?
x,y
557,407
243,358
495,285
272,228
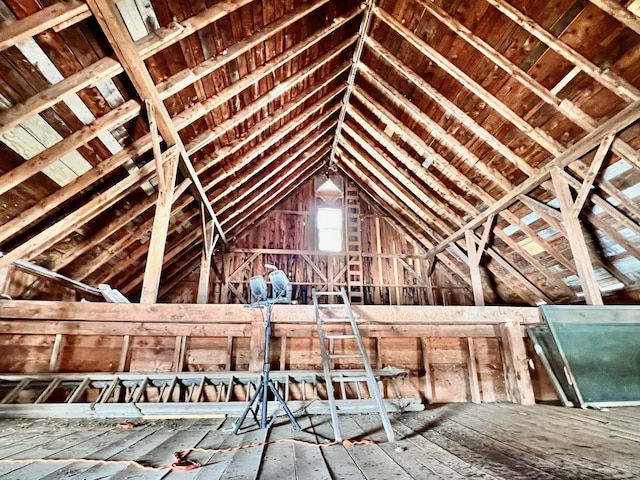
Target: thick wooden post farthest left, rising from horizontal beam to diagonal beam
x,y
153,268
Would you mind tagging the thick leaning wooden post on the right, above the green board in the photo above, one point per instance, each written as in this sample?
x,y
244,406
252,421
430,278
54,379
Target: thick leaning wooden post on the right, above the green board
x,y
578,246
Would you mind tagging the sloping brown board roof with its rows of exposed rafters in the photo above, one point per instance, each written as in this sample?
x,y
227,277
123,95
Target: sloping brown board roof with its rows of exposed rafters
x,y
455,106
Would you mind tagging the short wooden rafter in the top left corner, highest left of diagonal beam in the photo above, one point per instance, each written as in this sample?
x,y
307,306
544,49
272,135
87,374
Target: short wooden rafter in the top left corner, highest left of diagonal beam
x,y
48,17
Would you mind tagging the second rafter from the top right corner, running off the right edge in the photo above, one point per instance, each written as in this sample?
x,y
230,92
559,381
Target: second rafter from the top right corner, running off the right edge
x,y
605,77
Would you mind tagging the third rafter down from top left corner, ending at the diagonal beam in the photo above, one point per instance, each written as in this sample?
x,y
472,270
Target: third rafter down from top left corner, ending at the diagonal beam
x,y
30,167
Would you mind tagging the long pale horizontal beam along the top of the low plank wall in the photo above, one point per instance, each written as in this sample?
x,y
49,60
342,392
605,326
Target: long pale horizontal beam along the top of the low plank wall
x,y
40,311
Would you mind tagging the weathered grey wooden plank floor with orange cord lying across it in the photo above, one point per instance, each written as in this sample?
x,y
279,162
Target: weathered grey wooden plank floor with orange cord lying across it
x,y
490,441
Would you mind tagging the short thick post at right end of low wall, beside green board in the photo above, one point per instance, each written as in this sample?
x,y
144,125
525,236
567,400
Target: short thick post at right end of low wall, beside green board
x,y
518,380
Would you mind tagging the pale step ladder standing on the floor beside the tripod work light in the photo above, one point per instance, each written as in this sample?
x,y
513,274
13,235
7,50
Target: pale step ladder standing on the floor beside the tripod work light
x,y
337,322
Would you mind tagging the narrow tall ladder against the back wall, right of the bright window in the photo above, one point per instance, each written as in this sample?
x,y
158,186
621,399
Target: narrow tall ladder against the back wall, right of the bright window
x,y
354,245
